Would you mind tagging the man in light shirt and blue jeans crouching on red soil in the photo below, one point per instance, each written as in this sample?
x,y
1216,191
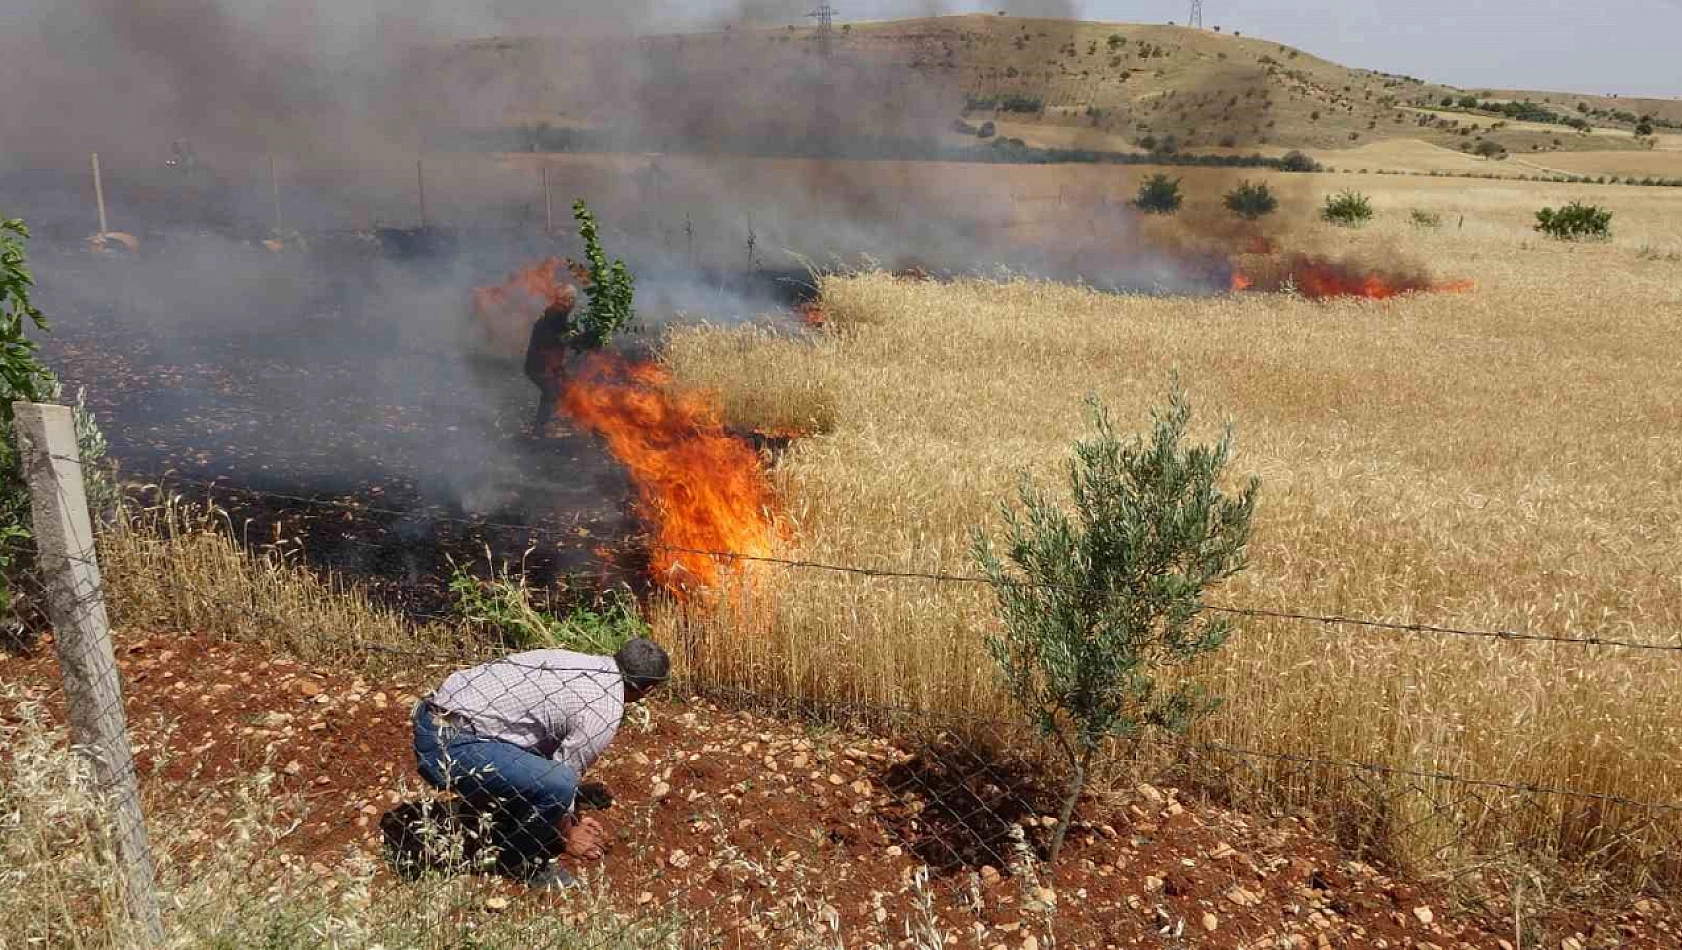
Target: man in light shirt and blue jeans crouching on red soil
x,y
516,737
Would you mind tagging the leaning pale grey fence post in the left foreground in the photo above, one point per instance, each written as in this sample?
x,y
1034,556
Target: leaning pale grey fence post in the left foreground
x,y
65,542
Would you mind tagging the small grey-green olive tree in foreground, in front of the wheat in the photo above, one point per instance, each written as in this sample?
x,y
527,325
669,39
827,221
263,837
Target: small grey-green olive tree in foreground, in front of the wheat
x,y
1099,601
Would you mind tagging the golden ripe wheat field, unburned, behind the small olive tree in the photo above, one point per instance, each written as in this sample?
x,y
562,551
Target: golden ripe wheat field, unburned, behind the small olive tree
x,y
1498,460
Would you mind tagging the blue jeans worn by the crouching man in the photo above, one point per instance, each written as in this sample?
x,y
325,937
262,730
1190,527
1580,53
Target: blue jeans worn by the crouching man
x,y
524,794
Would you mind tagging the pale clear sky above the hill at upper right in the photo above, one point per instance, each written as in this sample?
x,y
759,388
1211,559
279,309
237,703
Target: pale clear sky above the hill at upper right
x,y
1627,48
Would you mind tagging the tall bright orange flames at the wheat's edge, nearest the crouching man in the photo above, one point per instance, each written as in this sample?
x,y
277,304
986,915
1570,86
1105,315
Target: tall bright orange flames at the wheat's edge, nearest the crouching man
x,y
701,488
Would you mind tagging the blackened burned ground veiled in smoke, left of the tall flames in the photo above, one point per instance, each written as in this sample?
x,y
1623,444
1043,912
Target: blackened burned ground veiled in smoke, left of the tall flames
x,y
337,401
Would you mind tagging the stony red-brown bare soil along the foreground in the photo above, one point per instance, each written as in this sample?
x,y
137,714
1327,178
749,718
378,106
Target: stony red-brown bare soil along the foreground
x,y
726,815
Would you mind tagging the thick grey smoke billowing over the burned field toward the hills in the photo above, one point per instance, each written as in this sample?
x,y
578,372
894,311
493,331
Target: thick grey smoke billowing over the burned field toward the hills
x,y
368,369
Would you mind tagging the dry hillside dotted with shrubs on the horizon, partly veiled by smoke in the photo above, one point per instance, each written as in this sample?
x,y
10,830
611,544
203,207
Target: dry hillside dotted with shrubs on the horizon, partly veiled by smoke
x,y
1049,83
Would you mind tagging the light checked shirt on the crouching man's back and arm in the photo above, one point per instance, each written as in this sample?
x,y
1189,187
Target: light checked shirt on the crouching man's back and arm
x,y
554,704
